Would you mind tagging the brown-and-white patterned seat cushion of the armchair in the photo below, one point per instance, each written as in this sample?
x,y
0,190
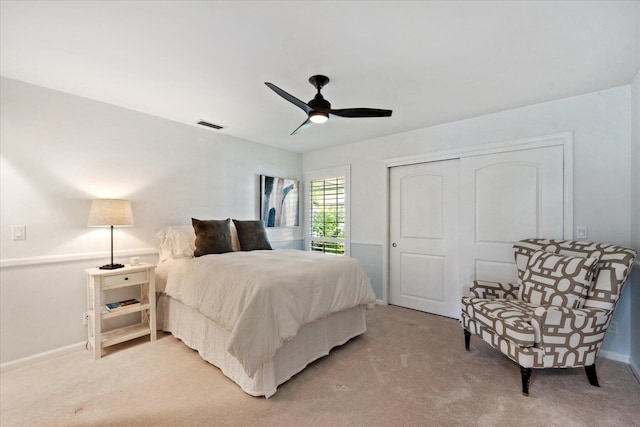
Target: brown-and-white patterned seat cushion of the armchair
x,y
510,319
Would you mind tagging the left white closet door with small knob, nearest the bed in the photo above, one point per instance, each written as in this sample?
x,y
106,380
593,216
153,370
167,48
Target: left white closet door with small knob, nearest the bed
x,y
424,237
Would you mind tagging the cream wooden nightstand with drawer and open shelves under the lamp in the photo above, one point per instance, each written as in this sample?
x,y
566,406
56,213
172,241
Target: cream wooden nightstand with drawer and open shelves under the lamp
x,y
99,281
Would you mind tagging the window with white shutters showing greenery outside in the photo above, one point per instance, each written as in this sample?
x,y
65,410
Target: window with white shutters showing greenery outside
x,y
328,211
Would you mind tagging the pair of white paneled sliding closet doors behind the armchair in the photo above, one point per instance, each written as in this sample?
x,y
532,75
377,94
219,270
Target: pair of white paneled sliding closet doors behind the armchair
x,y
455,221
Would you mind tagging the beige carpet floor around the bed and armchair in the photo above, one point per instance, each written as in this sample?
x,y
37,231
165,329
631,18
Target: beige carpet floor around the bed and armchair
x,y
410,368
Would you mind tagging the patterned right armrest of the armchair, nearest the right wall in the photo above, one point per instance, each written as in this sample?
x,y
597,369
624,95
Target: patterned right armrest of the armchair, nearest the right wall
x,y
557,326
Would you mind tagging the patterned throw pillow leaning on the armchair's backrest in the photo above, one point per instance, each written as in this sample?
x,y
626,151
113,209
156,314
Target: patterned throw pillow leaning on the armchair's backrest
x,y
562,281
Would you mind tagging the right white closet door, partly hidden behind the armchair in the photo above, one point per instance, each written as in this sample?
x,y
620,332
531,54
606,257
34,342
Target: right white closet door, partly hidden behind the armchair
x,y
507,197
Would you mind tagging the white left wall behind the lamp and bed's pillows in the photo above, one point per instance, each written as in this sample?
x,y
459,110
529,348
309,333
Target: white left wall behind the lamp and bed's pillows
x,y
58,152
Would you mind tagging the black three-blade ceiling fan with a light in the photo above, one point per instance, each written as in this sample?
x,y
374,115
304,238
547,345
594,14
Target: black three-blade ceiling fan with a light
x,y
319,110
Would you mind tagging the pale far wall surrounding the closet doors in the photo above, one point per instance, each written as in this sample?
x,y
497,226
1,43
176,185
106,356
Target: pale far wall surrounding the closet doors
x,y
600,123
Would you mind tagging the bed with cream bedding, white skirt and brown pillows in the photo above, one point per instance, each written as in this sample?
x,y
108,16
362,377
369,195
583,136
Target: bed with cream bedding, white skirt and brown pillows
x,y
260,315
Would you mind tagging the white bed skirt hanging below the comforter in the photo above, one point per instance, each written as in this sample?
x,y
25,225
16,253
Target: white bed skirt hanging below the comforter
x,y
313,341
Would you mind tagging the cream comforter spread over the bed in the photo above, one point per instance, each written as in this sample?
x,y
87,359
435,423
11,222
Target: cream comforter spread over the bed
x,y
263,297
